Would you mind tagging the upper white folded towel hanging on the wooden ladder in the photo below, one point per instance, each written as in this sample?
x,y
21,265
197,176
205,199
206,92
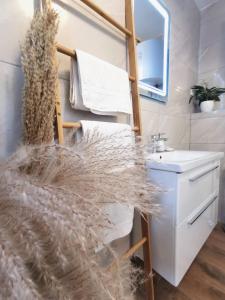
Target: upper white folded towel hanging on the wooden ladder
x,y
98,86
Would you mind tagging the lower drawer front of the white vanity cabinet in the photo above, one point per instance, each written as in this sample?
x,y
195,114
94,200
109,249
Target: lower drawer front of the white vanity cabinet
x,y
192,234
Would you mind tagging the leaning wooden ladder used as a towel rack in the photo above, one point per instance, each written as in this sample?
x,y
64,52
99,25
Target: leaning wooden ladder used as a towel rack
x,y
129,31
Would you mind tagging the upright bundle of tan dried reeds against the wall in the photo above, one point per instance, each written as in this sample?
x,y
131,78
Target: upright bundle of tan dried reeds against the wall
x,y
40,72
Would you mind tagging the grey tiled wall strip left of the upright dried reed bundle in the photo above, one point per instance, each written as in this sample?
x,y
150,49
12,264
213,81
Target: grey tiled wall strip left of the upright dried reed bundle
x,y
14,21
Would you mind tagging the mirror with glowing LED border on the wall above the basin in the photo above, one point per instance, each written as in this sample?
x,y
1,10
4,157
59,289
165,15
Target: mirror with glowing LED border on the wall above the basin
x,y
152,29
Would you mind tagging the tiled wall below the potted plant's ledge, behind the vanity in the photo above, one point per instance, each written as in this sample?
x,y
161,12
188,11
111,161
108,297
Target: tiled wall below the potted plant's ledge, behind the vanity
x,y
207,134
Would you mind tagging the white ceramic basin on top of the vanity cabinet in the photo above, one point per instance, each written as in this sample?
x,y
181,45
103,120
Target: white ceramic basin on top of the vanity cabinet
x,y
181,161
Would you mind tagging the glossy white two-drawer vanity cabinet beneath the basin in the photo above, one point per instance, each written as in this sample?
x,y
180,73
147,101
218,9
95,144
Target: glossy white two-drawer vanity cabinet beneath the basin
x,y
189,209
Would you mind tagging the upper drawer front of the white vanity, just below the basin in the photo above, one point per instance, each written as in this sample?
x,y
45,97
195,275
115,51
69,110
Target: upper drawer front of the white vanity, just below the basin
x,y
194,188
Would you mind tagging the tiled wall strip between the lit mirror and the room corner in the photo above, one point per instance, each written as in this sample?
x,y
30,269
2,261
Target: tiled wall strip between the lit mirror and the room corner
x,y
173,118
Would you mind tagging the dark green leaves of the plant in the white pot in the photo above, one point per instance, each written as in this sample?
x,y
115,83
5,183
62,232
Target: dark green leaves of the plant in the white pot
x,y
203,93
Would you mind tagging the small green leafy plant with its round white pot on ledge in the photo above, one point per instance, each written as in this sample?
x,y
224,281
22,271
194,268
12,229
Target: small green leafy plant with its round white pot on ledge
x,y
206,97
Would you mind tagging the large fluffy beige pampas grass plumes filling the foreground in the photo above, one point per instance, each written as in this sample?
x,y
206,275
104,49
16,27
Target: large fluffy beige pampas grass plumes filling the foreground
x,y
52,216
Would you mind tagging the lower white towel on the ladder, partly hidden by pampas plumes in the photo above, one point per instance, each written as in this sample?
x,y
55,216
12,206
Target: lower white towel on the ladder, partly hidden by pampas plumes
x,y
121,216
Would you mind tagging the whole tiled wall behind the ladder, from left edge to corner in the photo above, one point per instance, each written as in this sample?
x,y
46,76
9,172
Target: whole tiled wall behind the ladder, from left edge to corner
x,y
79,28
